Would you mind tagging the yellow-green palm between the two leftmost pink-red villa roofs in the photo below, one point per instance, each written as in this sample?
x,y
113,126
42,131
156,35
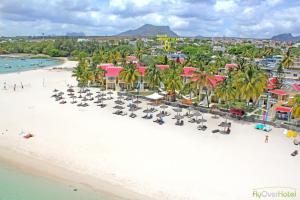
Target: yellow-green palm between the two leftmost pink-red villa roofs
x,y
129,75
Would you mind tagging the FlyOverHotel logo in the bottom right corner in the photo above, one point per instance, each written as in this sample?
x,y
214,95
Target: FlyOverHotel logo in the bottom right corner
x,y
274,193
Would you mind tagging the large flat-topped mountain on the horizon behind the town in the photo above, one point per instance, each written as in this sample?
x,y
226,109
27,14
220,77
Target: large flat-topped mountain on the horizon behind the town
x,y
149,30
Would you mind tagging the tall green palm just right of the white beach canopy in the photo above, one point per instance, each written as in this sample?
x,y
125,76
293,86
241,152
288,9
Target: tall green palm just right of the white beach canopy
x,y
172,80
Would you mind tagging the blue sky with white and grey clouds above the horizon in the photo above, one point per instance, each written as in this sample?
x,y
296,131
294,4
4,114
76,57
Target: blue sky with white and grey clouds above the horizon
x,y
231,18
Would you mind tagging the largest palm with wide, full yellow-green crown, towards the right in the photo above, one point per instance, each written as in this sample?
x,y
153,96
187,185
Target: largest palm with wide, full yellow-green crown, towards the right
x,y
251,83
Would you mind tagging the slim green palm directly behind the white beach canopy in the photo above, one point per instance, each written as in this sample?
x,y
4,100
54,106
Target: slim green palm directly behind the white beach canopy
x,y
153,76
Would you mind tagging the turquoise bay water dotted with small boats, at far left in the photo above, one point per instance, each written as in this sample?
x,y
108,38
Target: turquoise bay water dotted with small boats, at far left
x,y
9,64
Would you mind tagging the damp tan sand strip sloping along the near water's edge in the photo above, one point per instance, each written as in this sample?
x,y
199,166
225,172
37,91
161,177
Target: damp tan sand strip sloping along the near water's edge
x,y
31,165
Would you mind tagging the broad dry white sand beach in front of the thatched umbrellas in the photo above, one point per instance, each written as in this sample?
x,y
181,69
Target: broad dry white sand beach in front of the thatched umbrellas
x,y
159,162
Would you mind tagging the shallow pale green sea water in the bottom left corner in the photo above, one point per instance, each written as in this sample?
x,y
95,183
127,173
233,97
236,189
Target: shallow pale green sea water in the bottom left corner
x,y
18,185
